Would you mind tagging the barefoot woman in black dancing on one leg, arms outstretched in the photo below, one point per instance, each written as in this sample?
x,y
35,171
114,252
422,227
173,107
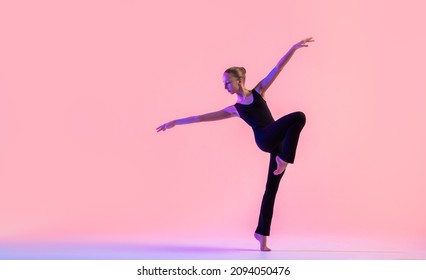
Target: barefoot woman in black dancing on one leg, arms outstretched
x,y
279,138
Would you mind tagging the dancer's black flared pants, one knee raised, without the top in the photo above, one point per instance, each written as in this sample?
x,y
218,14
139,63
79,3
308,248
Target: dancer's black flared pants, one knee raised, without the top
x,y
279,138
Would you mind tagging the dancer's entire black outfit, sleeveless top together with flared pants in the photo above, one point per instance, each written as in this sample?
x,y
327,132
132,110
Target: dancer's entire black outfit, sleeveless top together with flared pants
x,y
275,137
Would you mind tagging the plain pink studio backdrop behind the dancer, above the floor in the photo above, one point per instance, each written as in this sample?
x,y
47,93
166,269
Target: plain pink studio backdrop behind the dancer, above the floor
x,y
84,84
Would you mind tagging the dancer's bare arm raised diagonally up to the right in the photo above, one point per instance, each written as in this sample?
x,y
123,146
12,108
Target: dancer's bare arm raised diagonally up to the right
x,y
263,85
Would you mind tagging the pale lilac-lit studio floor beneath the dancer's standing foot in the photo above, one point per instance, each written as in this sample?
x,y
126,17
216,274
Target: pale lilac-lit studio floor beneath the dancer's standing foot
x,y
288,249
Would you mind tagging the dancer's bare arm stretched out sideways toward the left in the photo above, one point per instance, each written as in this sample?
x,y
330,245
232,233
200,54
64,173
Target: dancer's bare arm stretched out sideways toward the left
x,y
228,112
